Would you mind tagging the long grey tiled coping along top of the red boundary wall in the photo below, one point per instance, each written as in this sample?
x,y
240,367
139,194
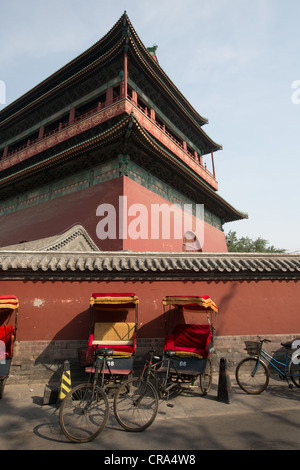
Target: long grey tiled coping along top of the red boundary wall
x,y
128,265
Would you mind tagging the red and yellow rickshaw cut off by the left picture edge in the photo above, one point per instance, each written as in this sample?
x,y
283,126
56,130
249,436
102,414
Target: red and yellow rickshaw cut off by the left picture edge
x,y
9,305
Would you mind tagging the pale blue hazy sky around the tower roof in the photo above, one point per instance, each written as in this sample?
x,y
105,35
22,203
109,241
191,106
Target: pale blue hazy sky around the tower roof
x,y
235,61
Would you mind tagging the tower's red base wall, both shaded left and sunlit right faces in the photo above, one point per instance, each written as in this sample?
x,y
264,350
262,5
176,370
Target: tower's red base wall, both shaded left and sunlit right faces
x,y
59,214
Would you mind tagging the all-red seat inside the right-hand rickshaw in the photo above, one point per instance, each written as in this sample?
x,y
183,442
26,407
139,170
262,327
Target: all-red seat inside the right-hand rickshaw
x,y
189,339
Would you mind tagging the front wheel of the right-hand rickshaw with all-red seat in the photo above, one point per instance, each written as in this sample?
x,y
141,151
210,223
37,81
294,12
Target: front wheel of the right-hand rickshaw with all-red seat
x,y
136,404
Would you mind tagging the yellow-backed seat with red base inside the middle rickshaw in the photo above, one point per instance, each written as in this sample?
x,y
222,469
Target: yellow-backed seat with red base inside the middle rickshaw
x,y
119,336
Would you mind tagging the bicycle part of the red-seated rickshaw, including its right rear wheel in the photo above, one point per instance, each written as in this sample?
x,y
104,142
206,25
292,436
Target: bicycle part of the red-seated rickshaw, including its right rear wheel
x,y
136,401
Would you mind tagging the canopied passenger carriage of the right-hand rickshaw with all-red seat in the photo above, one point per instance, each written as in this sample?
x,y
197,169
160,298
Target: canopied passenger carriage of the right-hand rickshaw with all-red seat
x,y
189,345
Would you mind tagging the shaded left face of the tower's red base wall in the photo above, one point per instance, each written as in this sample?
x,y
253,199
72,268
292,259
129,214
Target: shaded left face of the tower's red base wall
x,y
56,216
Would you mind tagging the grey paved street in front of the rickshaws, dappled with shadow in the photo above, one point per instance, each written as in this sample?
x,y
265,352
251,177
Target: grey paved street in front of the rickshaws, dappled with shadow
x,y
267,421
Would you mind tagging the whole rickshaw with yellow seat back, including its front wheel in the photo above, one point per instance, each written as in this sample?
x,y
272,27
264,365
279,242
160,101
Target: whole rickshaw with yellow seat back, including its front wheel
x,y
108,358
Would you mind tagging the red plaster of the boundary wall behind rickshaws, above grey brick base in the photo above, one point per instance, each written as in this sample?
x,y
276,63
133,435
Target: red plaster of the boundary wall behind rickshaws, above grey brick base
x,y
60,310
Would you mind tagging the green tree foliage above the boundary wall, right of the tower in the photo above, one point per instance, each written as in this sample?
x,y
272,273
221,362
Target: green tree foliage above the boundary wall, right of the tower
x,y
247,245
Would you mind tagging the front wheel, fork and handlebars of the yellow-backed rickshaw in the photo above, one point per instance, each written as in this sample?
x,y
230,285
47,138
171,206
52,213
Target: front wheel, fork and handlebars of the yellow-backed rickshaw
x,y
84,411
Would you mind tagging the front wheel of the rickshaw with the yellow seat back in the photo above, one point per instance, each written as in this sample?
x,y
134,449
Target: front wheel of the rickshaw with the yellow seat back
x,y
83,413
